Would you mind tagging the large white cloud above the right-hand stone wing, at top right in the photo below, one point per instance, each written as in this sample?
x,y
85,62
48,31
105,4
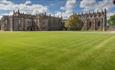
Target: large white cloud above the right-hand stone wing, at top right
x,y
93,5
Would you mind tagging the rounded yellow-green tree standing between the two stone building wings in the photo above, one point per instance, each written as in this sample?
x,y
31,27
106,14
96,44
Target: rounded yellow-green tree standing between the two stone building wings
x,y
72,23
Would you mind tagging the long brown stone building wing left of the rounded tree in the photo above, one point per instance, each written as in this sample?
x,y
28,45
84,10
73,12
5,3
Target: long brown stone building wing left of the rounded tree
x,y
27,22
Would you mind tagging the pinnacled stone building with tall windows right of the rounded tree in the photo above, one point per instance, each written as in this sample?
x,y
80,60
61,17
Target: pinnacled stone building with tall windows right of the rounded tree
x,y
93,21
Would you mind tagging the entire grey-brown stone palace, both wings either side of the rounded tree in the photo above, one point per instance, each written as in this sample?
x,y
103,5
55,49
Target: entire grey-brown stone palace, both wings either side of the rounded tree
x,y
42,22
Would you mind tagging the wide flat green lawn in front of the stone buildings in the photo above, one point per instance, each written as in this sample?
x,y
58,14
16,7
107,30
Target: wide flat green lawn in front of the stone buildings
x,y
57,51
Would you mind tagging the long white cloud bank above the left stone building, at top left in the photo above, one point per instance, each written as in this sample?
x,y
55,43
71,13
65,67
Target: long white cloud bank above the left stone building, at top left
x,y
26,7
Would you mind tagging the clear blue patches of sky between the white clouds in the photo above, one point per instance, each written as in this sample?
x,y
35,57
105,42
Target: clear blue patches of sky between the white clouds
x,y
53,5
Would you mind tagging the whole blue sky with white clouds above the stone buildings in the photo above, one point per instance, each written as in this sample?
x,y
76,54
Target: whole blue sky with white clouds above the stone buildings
x,y
59,8
